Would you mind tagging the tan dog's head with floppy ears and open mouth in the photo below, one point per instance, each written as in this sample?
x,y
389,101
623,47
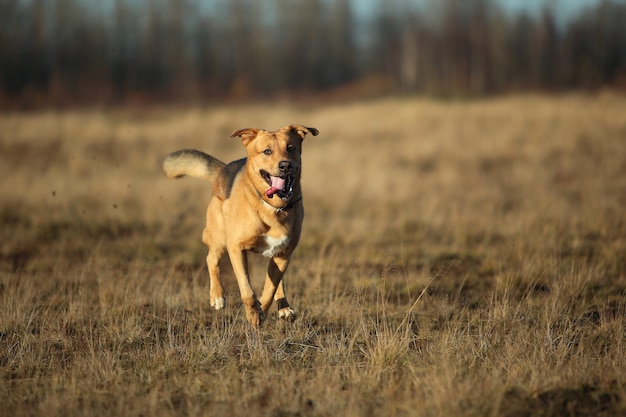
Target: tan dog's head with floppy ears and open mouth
x,y
274,158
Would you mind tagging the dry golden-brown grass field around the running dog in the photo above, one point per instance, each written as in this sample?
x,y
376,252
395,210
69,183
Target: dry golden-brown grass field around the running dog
x,y
458,259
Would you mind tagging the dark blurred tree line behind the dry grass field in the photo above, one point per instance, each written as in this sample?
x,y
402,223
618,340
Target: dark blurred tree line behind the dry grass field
x,y
65,52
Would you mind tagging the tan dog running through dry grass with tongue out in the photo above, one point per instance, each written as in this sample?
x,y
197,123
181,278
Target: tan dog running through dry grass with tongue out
x,y
256,205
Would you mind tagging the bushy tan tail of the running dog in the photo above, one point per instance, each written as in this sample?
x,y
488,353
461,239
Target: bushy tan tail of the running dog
x,y
193,163
